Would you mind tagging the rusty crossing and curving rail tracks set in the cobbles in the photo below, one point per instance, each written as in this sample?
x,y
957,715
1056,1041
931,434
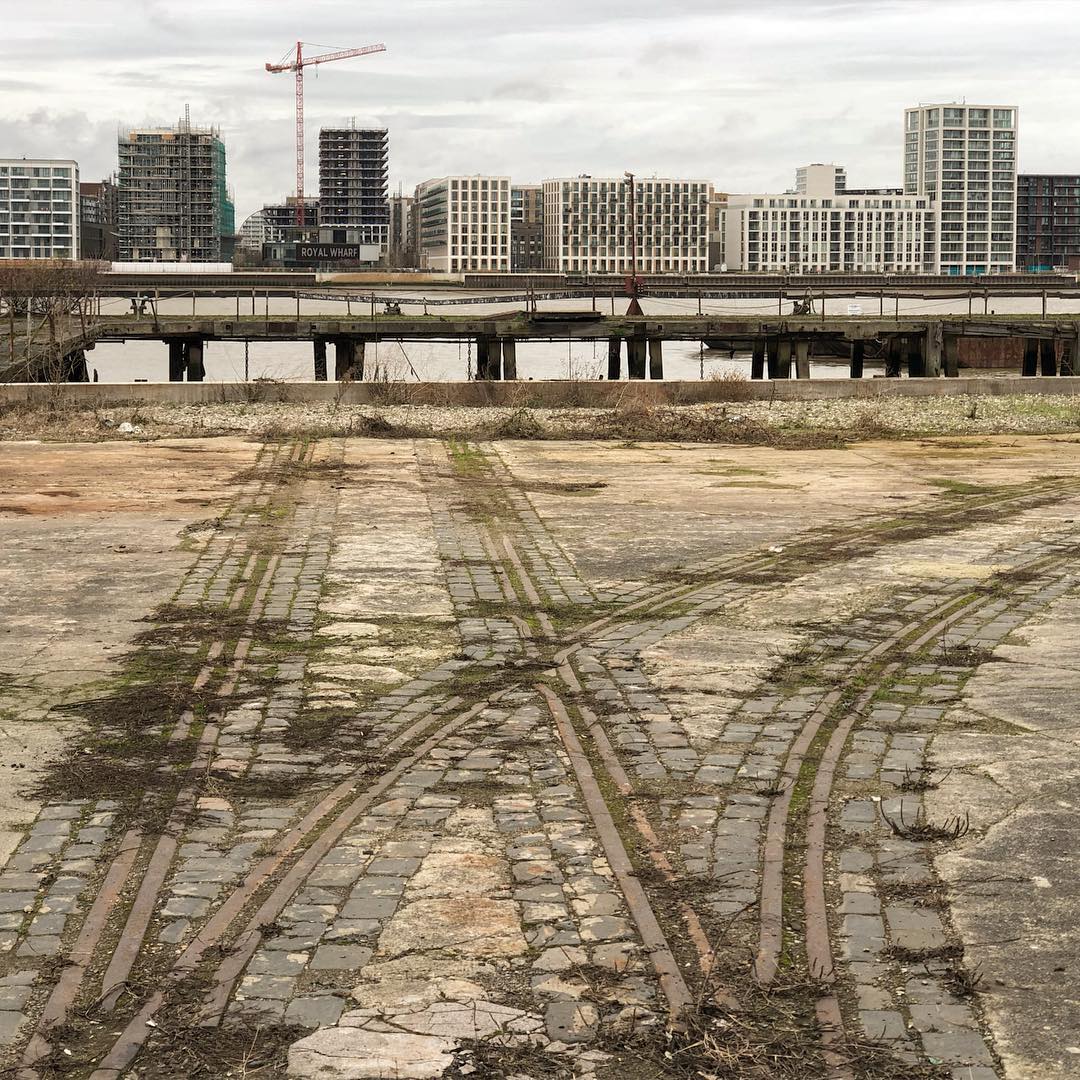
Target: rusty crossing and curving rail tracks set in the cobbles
x,y
535,582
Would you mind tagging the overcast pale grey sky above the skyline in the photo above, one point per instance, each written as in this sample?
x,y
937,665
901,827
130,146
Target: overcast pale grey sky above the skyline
x,y
738,92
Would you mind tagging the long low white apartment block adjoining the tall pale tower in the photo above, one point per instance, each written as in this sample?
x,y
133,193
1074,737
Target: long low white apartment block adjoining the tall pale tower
x,y
819,232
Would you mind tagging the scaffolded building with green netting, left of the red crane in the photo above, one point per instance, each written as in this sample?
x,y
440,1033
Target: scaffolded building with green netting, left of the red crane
x,y
173,200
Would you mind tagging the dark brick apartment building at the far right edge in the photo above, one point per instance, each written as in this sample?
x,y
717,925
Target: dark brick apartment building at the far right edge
x,y
1048,223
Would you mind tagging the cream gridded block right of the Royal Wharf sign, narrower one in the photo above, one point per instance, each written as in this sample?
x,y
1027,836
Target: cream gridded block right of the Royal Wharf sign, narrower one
x,y
464,224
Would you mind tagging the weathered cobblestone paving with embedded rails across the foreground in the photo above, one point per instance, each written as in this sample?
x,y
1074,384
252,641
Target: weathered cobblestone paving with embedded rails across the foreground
x,y
501,847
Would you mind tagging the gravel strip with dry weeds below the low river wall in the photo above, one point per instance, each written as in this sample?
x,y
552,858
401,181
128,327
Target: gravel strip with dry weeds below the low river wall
x,y
747,422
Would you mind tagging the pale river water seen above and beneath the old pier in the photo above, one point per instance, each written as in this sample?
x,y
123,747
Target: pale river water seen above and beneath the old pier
x,y
536,360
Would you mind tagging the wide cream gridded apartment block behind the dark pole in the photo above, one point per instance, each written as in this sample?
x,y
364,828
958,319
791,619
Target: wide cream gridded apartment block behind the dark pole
x,y
587,225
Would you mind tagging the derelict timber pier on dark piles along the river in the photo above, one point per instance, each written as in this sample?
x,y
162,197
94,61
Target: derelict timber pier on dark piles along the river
x,y
782,348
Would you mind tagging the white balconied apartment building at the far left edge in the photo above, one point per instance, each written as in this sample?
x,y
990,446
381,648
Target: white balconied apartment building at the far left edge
x,y
39,209
